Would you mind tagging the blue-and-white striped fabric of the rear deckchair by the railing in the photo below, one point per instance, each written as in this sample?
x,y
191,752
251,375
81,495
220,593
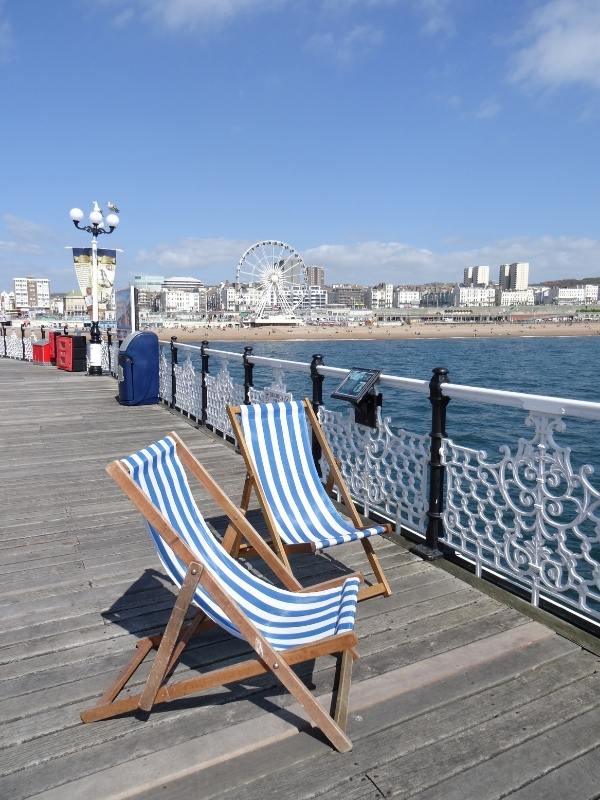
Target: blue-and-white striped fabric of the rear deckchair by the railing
x,y
279,444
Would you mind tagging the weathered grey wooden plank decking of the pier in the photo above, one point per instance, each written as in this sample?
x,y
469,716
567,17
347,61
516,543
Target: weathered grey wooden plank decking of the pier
x,y
455,696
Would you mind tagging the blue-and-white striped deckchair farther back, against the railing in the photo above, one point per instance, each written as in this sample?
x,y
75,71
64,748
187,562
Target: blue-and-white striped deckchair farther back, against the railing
x,y
275,441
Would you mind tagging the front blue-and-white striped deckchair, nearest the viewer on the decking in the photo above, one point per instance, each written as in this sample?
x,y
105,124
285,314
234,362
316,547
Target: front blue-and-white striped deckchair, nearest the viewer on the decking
x,y
283,626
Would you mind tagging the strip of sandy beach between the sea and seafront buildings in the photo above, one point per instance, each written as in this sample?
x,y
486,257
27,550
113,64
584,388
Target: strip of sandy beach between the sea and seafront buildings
x,y
413,331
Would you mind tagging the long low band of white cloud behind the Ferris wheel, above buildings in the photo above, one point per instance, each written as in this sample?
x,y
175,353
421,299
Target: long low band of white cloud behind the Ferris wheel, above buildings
x,y
373,261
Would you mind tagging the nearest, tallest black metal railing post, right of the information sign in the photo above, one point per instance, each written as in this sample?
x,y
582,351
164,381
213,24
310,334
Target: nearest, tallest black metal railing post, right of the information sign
x,y
430,549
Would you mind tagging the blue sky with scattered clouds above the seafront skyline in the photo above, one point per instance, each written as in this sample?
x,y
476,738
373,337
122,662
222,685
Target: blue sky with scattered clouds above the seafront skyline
x,y
386,140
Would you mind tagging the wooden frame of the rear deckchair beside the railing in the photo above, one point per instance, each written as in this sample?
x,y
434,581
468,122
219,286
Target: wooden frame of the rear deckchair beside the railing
x,y
232,541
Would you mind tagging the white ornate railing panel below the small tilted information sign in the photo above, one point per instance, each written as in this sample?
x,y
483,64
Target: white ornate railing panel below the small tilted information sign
x,y
385,467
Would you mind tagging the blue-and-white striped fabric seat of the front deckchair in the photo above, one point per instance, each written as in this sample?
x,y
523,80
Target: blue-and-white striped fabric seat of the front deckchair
x,y
286,619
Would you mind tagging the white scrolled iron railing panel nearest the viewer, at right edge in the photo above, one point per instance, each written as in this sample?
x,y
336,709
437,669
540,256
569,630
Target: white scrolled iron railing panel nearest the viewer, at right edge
x,y
530,515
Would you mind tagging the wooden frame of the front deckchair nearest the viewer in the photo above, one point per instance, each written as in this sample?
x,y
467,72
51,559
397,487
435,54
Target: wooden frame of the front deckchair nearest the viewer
x,y
171,644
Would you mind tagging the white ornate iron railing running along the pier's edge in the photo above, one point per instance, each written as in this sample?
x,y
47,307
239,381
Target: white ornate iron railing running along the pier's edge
x,y
528,516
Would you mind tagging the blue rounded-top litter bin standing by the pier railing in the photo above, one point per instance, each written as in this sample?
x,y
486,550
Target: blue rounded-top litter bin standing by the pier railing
x,y
138,369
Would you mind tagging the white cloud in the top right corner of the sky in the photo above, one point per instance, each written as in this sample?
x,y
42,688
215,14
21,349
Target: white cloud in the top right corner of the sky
x,y
561,45
